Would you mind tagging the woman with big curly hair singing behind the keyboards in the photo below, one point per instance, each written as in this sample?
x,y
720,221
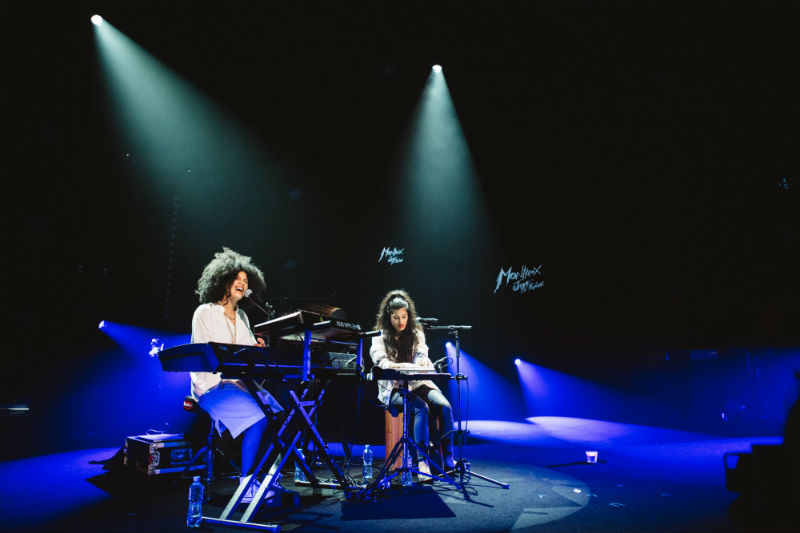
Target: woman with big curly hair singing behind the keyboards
x,y
219,319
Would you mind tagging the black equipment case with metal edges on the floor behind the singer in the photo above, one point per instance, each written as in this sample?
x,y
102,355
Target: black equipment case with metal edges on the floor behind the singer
x,y
159,454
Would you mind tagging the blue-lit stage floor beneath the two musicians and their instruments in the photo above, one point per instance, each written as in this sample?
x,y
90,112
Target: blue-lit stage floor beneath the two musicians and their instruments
x,y
646,479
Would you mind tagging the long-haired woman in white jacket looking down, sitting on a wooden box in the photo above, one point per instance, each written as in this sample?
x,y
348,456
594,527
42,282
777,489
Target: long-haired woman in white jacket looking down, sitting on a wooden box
x,y
401,344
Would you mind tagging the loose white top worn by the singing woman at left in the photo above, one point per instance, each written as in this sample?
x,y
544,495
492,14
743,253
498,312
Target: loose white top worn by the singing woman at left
x,y
209,324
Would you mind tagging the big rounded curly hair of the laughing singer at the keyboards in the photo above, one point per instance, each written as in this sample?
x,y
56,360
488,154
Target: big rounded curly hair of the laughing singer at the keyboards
x,y
218,275
